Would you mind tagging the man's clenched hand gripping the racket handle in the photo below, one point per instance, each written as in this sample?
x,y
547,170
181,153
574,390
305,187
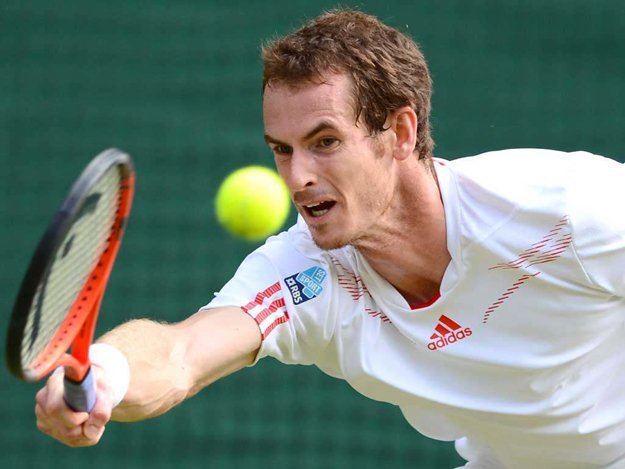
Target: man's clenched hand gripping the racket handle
x,y
75,429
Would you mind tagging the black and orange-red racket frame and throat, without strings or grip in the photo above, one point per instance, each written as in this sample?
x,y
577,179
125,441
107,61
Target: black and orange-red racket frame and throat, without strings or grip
x,y
77,328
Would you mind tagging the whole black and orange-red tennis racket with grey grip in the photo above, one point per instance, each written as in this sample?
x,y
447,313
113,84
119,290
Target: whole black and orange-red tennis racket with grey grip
x,y
55,312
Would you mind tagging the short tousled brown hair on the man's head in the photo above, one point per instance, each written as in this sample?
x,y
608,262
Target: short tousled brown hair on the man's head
x,y
386,67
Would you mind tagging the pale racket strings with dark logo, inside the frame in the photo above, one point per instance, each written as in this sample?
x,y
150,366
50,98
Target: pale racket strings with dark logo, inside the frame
x,y
77,255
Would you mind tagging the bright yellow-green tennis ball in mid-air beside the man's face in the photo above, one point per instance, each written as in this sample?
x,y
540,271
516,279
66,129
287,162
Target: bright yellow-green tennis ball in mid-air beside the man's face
x,y
252,203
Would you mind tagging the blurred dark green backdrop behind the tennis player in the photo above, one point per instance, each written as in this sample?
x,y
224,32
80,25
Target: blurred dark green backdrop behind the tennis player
x,y
177,85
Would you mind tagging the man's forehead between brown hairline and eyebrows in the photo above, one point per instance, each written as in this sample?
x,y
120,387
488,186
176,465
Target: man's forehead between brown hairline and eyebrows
x,y
287,107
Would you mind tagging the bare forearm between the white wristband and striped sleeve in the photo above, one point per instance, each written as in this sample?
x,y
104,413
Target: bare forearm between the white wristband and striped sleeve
x,y
171,362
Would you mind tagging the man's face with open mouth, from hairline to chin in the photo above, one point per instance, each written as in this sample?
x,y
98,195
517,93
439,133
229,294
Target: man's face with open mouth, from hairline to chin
x,y
339,177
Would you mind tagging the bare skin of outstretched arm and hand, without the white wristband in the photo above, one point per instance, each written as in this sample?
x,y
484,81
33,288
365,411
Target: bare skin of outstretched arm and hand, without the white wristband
x,y
168,363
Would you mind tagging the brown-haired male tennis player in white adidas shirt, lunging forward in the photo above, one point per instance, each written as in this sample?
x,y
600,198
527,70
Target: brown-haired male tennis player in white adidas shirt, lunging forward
x,y
484,296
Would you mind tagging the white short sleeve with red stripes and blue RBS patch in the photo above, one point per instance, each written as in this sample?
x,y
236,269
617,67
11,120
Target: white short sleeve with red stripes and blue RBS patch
x,y
289,296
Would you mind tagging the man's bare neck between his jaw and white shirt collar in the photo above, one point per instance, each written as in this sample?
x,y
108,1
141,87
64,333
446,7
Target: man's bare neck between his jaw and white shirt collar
x,y
408,246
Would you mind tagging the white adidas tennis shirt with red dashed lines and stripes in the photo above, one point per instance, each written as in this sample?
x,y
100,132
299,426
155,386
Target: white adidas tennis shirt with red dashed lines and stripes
x,y
521,358
